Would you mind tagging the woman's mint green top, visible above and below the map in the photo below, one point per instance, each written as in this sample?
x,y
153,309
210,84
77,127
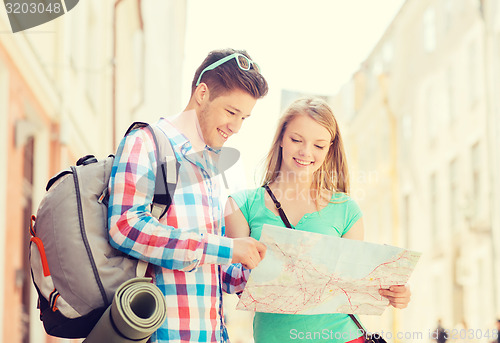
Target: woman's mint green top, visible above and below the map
x,y
334,220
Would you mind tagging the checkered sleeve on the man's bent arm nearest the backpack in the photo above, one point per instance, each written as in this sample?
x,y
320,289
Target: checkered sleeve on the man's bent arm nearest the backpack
x,y
132,228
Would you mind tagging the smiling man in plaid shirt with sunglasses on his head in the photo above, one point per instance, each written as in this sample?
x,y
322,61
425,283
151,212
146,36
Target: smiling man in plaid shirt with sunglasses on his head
x,y
186,248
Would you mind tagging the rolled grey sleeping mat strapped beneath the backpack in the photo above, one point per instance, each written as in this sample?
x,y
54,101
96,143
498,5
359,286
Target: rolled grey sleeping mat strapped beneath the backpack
x,y
138,309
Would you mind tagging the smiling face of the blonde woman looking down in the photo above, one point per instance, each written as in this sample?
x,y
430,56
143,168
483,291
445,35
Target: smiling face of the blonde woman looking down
x,y
305,145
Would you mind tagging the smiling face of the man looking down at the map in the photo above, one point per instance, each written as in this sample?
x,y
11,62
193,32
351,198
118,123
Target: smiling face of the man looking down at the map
x,y
222,117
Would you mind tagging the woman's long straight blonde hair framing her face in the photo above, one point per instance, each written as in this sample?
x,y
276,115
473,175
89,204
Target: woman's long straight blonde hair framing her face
x,y
333,174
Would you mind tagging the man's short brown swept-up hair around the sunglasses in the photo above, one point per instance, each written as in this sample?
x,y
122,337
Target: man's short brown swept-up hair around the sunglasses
x,y
228,76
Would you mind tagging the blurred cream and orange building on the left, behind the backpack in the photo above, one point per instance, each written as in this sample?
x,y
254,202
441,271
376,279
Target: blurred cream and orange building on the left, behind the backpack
x,y
68,88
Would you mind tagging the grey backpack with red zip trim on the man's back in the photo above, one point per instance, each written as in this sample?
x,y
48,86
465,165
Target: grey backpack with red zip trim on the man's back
x,y
74,268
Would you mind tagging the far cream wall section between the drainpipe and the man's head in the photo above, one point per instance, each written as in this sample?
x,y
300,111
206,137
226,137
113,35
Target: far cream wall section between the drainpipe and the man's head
x,y
150,63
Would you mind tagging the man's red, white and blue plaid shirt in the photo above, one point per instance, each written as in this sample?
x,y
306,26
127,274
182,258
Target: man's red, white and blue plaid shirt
x,y
186,249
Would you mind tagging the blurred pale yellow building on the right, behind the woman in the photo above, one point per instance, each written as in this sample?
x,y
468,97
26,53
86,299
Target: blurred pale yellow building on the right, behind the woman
x,y
422,118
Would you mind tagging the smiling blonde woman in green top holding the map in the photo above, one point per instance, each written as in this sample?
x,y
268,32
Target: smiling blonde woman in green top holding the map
x,y
307,173
